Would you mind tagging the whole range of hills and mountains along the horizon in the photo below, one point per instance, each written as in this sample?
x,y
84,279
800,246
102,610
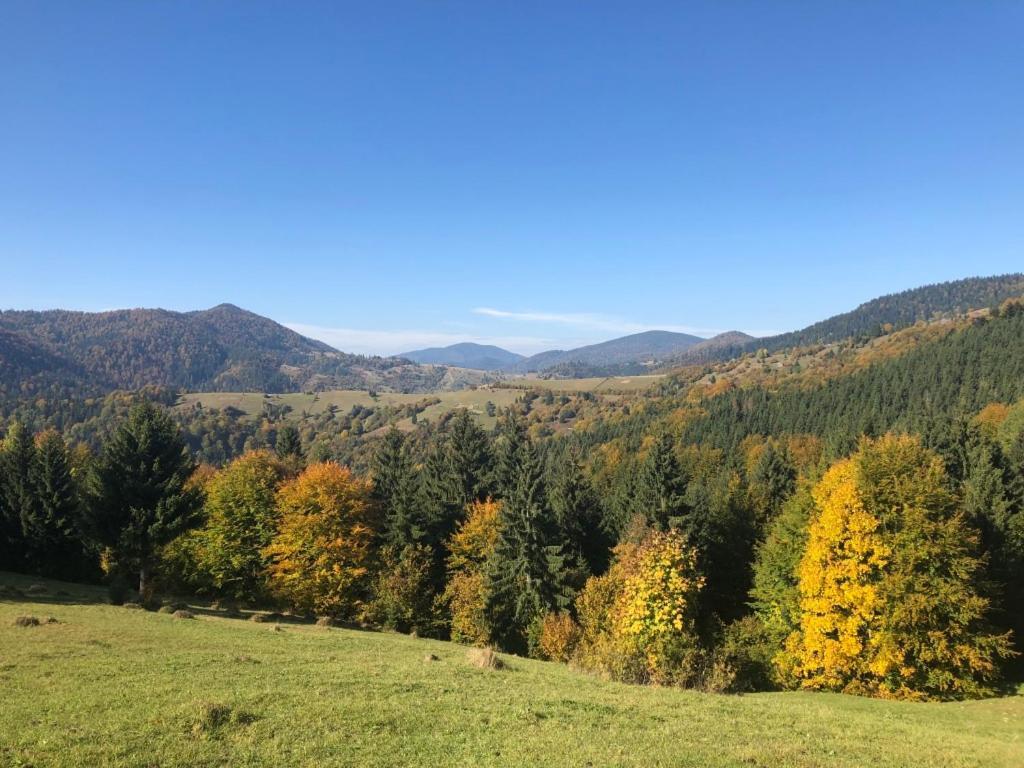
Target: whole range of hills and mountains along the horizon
x,y
226,349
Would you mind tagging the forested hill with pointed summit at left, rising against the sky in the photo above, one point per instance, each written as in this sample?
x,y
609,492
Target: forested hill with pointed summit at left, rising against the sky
x,y
221,350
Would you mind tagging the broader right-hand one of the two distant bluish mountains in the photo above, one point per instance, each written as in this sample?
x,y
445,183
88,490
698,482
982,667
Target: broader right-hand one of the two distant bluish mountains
x,y
626,355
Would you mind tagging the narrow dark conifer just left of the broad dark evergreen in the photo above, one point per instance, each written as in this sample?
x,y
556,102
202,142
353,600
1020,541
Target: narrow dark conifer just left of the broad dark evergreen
x,y
53,532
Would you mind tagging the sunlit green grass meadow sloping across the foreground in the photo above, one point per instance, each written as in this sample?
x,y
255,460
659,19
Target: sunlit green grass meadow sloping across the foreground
x,y
109,687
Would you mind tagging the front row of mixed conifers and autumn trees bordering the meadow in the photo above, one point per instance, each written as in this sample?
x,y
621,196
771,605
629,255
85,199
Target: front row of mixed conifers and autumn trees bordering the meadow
x,y
893,571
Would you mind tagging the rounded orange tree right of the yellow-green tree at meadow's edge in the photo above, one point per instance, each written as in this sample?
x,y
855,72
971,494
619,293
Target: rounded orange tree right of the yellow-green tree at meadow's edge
x,y
322,556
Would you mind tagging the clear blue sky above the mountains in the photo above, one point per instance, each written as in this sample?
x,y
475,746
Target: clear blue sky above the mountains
x,y
536,175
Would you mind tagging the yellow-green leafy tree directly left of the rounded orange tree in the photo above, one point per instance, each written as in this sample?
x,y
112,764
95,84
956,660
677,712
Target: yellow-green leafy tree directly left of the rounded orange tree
x,y
241,522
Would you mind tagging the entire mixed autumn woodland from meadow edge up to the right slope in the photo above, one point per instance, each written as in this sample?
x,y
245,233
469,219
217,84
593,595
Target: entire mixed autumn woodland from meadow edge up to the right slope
x,y
852,528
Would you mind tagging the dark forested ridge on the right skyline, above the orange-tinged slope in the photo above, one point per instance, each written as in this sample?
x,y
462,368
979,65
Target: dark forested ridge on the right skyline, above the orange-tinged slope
x,y
879,316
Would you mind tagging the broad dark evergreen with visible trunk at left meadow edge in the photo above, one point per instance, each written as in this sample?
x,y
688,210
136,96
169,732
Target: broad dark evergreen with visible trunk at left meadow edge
x,y
140,497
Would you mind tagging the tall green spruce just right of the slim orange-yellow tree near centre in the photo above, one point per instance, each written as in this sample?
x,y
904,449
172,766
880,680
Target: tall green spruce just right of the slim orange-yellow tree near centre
x,y
526,575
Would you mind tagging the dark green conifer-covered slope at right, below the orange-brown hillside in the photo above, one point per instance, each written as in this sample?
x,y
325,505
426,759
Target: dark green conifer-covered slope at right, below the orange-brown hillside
x,y
925,392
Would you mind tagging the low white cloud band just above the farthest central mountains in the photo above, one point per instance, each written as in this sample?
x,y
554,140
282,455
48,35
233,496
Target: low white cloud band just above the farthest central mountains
x,y
369,342
